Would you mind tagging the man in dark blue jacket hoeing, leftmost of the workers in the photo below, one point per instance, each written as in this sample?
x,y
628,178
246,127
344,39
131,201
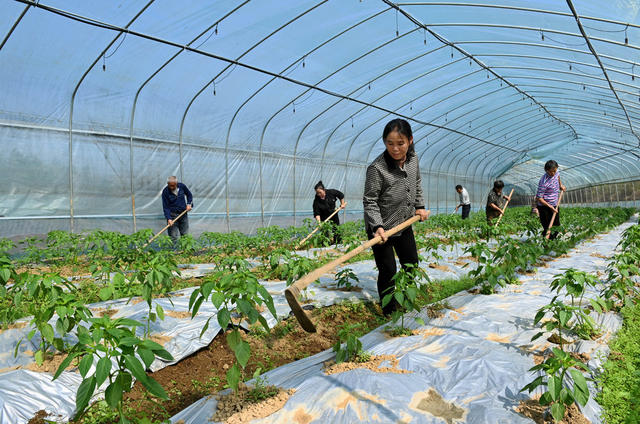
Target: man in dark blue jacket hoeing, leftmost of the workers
x,y
176,198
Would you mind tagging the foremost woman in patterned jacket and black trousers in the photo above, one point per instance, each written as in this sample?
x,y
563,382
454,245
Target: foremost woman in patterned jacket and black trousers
x,y
393,194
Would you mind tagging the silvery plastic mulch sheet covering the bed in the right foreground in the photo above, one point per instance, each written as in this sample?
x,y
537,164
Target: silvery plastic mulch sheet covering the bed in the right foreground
x,y
473,361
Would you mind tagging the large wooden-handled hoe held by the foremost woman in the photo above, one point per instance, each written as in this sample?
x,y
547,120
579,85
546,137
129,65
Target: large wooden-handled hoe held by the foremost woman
x,y
292,293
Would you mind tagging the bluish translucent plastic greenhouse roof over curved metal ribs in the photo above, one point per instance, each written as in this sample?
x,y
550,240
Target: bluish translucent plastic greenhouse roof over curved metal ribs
x,y
492,90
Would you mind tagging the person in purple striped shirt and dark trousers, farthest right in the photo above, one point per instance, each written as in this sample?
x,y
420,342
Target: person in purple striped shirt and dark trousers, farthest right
x,y
547,195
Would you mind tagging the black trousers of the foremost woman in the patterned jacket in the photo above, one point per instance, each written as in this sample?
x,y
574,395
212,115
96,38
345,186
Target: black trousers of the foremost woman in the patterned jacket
x,y
404,245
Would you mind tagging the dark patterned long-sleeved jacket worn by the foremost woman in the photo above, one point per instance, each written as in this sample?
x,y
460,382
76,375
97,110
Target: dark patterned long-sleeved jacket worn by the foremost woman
x,y
391,194
